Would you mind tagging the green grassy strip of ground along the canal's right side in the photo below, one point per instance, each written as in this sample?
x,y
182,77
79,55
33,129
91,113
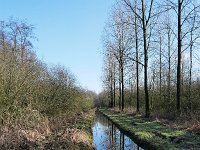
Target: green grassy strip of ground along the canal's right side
x,y
153,133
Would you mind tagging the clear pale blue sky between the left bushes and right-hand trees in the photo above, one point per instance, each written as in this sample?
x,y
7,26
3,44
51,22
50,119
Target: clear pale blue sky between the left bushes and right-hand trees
x,y
68,31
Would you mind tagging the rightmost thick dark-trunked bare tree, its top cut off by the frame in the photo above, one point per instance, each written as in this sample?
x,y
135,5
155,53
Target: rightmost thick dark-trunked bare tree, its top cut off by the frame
x,y
184,10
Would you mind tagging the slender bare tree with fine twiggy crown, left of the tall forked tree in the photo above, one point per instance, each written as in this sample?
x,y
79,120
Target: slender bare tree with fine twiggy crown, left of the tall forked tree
x,y
120,43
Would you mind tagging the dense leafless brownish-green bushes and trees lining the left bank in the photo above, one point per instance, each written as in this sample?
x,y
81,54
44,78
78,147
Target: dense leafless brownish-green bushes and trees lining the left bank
x,y
33,94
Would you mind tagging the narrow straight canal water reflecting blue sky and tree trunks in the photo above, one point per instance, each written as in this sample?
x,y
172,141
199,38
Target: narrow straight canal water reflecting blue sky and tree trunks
x,y
106,136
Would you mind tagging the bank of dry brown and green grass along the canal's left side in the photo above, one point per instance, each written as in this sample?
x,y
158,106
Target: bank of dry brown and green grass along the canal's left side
x,y
56,133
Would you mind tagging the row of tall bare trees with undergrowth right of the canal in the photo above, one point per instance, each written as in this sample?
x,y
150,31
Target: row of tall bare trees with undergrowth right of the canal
x,y
151,57
